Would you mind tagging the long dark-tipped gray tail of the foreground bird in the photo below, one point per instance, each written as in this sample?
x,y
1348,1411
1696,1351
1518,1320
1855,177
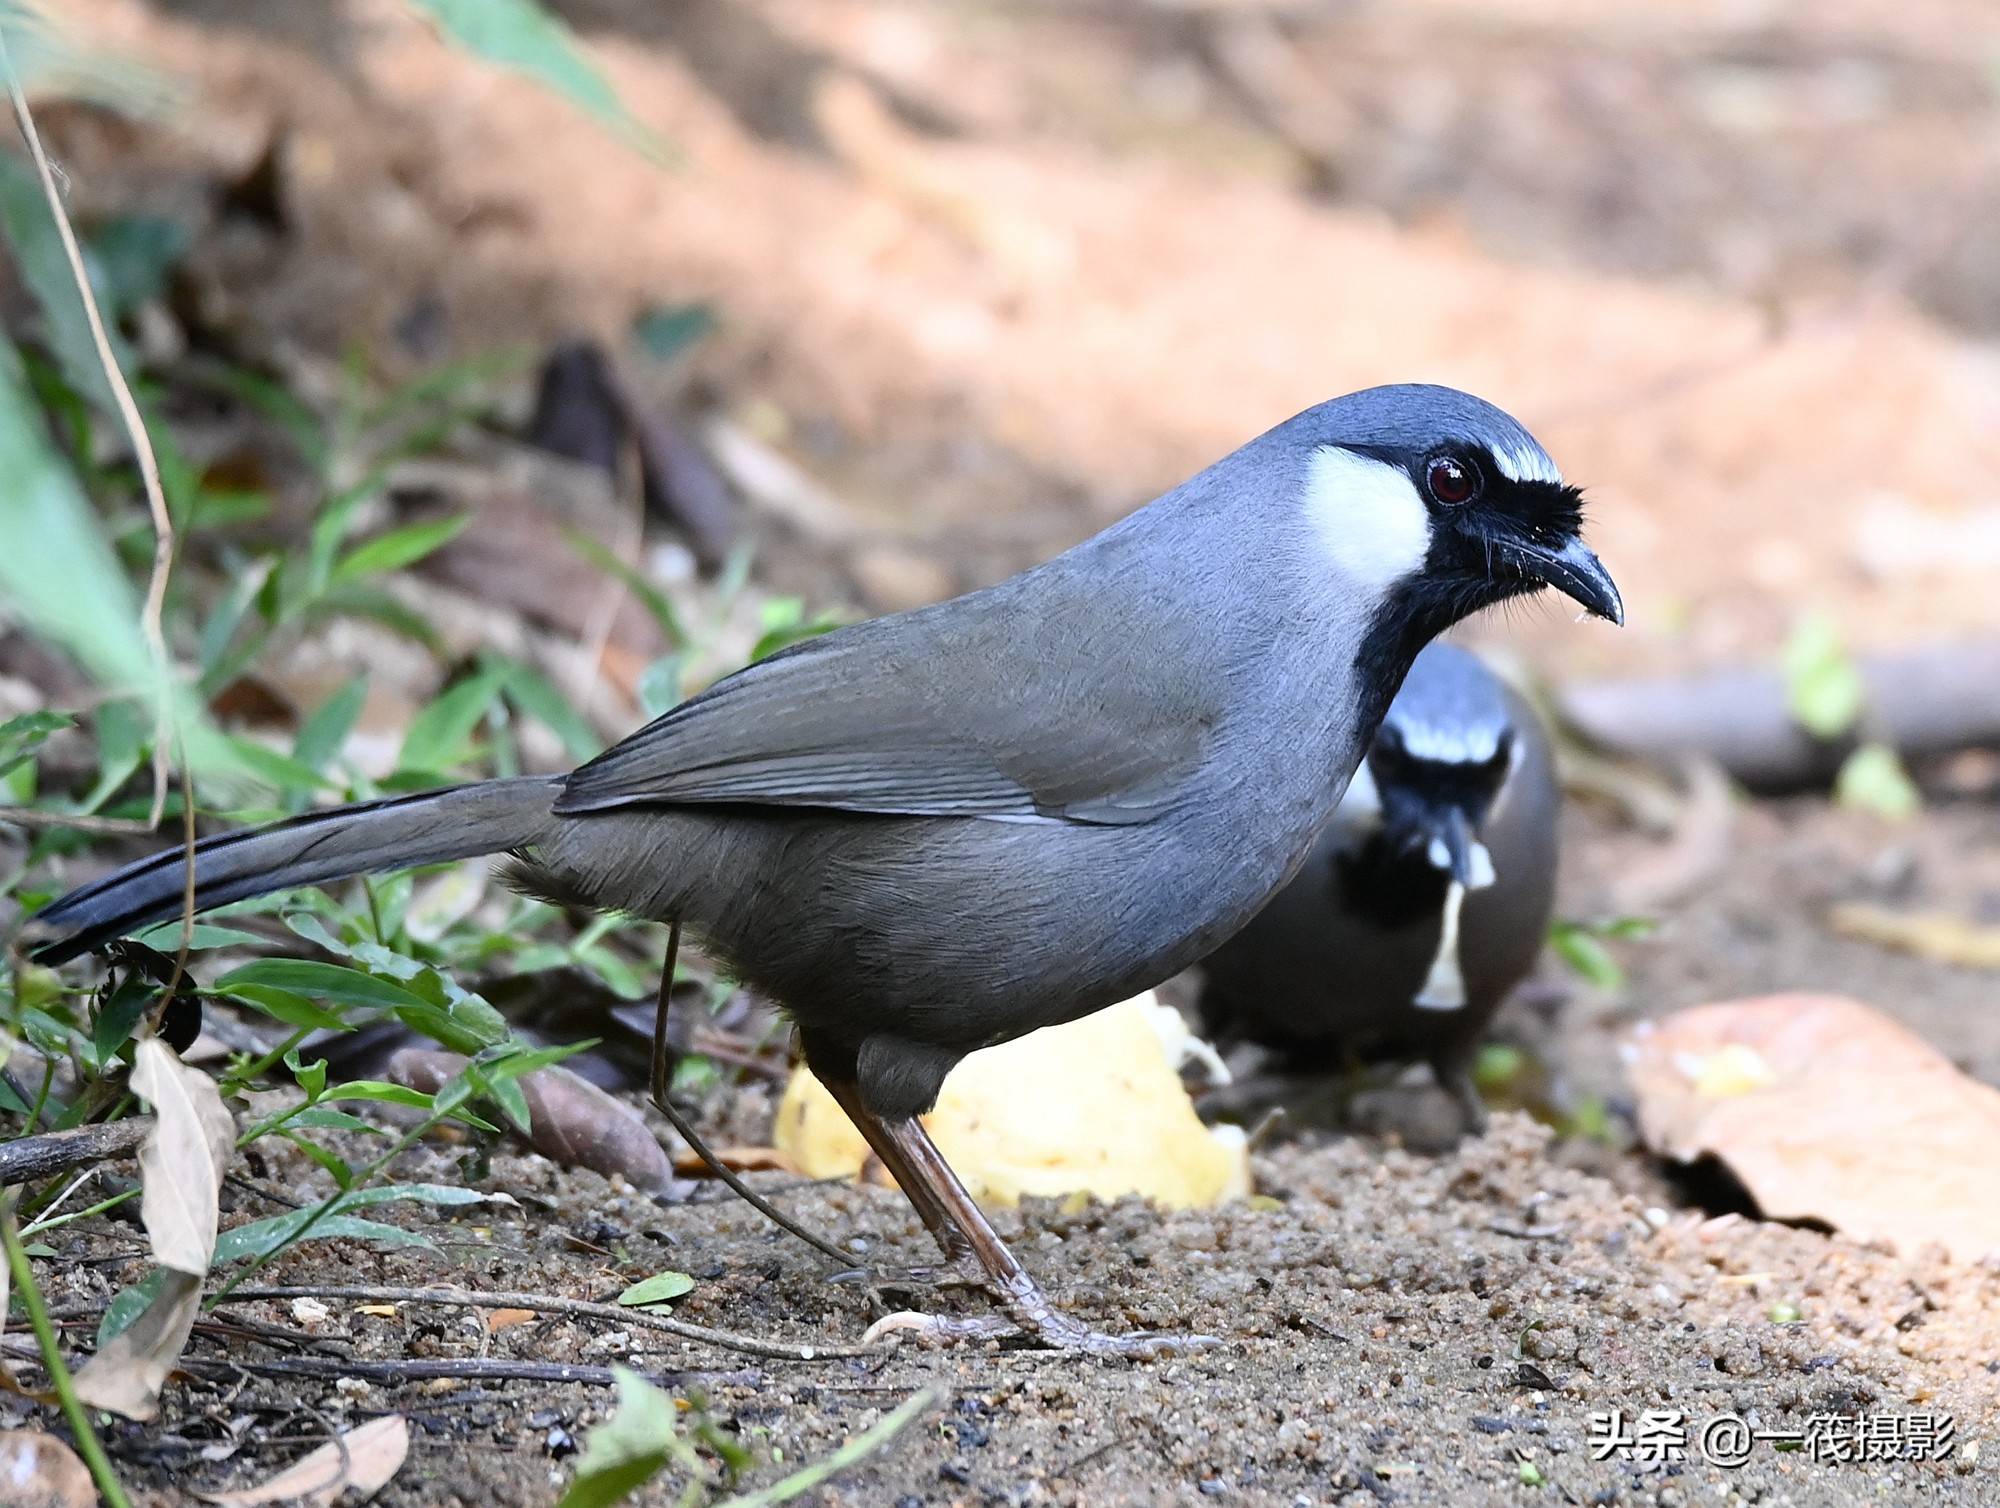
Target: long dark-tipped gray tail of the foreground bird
x,y
385,835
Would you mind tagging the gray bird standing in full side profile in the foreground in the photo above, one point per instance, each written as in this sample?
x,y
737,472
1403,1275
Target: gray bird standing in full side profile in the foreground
x,y
947,829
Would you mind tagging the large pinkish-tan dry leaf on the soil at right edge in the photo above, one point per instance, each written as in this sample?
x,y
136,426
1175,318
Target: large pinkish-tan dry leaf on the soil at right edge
x,y
1827,1111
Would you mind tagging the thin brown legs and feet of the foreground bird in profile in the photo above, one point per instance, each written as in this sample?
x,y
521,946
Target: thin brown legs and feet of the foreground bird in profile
x,y
963,1231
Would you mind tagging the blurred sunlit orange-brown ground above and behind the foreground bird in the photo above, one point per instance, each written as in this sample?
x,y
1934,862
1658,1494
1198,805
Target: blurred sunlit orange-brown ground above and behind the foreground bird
x,y
999,273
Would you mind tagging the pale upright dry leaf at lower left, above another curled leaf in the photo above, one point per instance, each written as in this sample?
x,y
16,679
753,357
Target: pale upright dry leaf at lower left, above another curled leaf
x,y
183,1159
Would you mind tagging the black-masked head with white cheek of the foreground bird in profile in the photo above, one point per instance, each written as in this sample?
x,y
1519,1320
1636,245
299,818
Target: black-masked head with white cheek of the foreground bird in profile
x,y
1441,505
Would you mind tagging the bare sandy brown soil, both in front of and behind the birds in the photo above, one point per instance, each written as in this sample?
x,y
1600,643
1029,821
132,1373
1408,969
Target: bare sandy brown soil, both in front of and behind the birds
x,y
991,275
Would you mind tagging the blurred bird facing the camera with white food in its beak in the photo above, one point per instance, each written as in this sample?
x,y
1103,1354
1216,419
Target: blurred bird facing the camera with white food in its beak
x,y
1425,901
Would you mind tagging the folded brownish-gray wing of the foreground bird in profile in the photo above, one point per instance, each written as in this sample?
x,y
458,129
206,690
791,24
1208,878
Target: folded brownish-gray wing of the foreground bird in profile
x,y
1011,705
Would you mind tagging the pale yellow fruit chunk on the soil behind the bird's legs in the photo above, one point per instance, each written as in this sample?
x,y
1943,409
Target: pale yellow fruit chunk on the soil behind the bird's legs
x,y
1093,1107
